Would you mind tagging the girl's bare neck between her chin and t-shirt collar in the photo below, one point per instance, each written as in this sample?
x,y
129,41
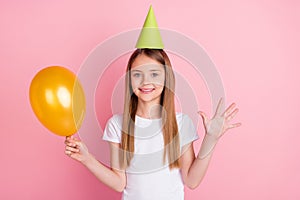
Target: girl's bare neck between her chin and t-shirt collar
x,y
149,110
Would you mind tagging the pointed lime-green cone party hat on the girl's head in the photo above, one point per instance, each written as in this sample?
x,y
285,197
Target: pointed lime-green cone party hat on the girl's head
x,y
150,36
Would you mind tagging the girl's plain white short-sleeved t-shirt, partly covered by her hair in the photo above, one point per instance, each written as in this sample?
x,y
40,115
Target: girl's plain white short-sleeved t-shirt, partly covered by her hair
x,y
148,177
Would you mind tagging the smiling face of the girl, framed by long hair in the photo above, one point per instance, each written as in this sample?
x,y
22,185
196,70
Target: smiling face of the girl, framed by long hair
x,y
147,79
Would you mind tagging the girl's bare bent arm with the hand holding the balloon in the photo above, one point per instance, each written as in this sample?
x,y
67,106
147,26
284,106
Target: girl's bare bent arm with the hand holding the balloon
x,y
113,177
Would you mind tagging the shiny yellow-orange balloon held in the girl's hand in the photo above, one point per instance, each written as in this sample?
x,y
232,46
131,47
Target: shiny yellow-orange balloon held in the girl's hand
x,y
57,99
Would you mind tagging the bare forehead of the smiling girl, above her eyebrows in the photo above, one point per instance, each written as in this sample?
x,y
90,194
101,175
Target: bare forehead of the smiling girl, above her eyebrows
x,y
143,62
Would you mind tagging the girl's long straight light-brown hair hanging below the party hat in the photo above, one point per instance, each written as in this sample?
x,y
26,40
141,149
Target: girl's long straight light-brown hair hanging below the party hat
x,y
170,128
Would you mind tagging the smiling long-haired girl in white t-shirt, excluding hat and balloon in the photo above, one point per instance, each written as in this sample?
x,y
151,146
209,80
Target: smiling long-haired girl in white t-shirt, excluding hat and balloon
x,y
152,155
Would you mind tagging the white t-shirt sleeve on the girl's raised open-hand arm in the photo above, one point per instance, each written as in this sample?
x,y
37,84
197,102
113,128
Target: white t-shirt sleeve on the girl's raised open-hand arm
x,y
188,132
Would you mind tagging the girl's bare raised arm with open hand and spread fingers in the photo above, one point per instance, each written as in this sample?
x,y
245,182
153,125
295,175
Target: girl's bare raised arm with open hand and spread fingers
x,y
194,169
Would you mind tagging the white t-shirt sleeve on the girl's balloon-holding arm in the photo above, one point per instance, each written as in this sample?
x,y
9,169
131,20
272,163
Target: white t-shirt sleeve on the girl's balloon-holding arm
x,y
113,129
